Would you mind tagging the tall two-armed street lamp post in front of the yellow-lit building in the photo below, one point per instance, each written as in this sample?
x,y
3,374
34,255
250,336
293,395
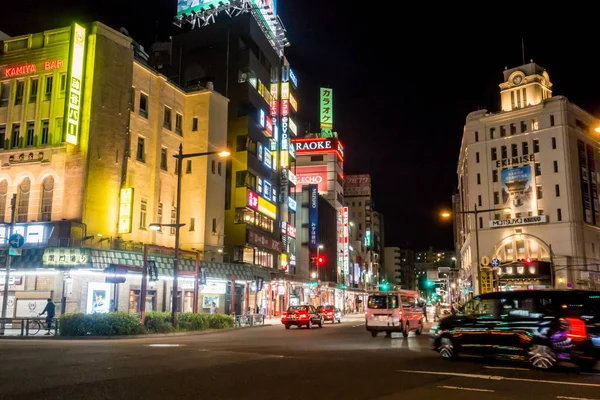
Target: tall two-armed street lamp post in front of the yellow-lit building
x,y
180,157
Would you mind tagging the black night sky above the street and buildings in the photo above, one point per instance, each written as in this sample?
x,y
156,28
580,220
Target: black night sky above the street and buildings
x,y
404,82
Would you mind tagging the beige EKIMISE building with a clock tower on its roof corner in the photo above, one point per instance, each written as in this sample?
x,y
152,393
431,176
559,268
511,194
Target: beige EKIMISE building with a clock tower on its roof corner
x,y
534,164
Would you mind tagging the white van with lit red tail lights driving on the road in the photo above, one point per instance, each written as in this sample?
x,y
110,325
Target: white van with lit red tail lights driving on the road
x,y
394,311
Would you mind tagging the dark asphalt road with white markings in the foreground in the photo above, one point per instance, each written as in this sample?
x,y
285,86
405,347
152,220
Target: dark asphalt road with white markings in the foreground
x,y
340,361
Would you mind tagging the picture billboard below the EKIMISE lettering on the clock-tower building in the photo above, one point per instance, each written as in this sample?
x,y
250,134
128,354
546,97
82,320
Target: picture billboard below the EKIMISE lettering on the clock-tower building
x,y
518,192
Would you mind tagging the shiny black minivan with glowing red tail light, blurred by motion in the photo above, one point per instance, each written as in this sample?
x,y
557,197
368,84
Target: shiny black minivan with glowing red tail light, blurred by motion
x,y
541,327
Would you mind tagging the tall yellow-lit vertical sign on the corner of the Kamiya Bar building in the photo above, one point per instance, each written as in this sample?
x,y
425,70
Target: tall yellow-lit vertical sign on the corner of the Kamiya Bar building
x,y
74,98
